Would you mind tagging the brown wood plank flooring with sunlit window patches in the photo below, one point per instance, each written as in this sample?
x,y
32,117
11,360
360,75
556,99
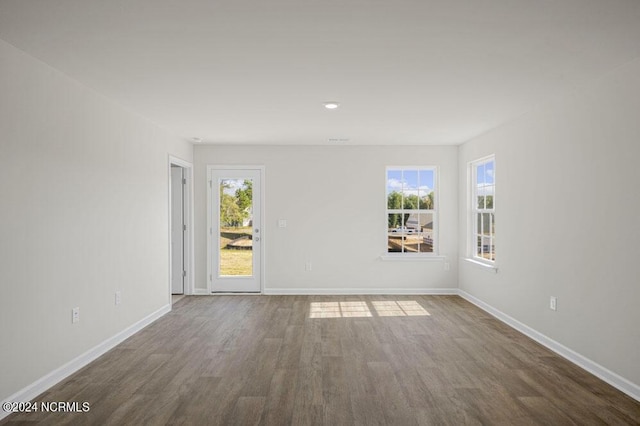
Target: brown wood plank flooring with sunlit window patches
x,y
329,360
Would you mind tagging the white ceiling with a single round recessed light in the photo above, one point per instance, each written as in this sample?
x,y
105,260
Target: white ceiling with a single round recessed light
x,y
257,71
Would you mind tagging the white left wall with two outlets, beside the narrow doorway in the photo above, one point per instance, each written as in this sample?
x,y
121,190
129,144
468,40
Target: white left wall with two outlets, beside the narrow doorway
x,y
83,213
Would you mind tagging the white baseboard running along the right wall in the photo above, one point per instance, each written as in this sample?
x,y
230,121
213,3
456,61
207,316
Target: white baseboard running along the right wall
x,y
622,384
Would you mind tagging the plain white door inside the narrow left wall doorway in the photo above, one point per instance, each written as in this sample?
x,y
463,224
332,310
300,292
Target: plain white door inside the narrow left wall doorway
x,y
177,230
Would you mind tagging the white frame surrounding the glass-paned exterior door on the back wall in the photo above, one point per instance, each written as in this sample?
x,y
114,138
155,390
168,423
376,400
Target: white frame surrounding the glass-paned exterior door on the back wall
x,y
210,245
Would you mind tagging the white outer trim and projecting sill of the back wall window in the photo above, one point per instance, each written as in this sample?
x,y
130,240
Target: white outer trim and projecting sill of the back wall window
x,y
416,257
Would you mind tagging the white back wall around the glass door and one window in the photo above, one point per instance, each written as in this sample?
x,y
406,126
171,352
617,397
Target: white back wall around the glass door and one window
x,y
333,198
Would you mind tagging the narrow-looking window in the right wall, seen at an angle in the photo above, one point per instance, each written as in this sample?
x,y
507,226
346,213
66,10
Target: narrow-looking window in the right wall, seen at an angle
x,y
483,202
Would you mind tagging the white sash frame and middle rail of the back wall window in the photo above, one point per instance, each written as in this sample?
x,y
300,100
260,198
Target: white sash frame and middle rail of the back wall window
x,y
434,254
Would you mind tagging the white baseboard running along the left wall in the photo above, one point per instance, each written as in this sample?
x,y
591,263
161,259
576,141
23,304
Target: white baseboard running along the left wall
x,y
36,388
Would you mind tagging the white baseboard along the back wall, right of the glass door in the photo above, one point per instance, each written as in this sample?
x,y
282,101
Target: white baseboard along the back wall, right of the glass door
x,y
358,291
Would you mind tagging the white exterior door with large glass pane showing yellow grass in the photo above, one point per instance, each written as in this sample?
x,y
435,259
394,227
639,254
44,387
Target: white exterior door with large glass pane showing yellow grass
x,y
235,234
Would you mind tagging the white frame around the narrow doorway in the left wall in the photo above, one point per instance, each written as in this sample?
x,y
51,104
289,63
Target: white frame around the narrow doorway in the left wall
x,y
188,218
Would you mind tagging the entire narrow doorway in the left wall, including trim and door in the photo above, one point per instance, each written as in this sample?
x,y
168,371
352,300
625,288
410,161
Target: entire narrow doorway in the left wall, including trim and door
x,y
180,229
